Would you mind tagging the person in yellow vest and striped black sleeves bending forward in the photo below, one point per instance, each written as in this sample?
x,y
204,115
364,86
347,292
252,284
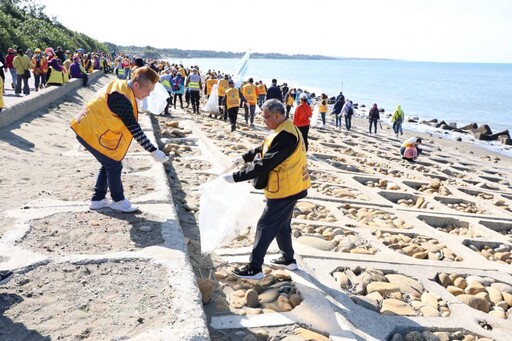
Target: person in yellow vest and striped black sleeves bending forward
x,y
106,126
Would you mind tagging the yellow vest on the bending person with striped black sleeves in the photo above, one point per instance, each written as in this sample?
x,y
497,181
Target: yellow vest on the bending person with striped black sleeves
x,y
101,128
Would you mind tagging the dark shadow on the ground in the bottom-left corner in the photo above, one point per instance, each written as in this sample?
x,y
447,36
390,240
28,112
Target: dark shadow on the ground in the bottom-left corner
x,y
11,330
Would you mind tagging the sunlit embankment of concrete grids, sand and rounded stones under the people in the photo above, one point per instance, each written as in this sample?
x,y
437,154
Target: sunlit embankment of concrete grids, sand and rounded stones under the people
x,y
383,245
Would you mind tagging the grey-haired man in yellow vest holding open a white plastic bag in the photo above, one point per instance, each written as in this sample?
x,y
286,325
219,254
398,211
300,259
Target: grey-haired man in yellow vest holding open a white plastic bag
x,y
280,167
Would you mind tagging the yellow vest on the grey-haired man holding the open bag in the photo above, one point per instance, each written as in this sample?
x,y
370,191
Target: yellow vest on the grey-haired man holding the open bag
x,y
291,176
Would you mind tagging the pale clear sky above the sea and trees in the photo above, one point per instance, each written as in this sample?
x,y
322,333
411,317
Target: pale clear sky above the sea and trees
x,y
423,30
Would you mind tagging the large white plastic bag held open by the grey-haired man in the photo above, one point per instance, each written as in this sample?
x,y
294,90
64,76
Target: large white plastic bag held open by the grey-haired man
x,y
225,211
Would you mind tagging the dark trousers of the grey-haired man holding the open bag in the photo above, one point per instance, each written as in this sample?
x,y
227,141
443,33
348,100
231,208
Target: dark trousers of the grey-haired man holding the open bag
x,y
275,222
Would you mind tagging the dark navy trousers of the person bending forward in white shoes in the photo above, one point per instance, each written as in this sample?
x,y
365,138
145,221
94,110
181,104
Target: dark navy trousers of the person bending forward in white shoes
x,y
109,175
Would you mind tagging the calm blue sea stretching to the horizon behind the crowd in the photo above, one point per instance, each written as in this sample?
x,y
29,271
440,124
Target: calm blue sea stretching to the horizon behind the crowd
x,y
457,93
